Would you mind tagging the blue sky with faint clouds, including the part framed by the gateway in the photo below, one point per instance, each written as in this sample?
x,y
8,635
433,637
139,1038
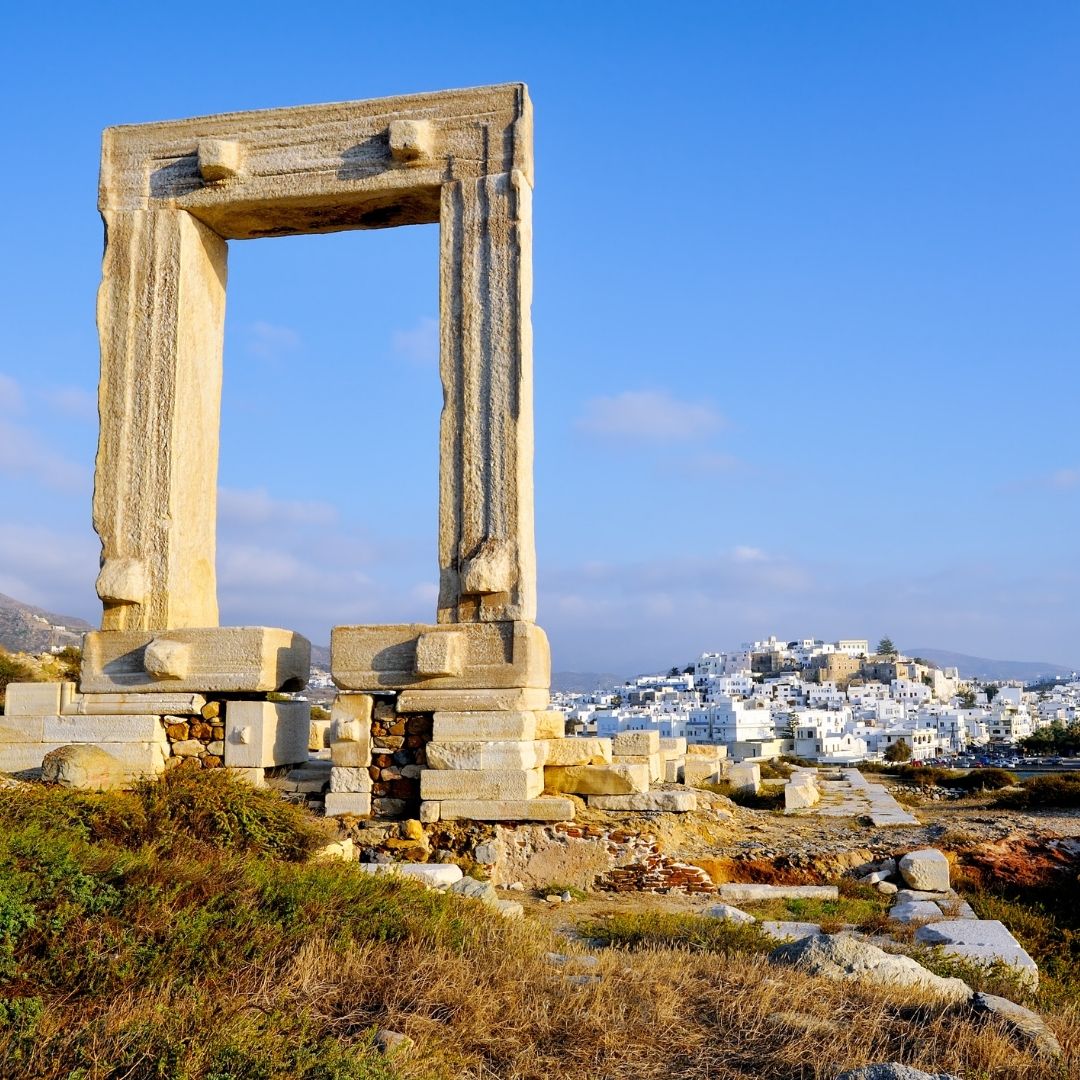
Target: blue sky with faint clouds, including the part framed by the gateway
x,y
806,320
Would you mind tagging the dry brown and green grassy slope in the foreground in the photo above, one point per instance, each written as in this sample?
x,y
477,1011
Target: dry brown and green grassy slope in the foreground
x,y
183,931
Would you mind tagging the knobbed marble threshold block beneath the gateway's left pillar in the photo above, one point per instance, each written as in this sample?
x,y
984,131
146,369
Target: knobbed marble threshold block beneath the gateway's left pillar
x,y
220,659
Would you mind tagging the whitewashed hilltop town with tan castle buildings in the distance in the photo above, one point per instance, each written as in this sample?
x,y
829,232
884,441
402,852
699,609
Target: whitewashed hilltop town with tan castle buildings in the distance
x,y
831,703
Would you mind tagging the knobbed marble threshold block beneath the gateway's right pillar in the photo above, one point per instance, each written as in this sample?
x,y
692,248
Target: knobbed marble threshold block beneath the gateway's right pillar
x,y
488,656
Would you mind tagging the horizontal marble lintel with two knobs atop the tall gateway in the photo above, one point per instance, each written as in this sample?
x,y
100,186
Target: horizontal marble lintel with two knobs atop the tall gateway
x,y
319,168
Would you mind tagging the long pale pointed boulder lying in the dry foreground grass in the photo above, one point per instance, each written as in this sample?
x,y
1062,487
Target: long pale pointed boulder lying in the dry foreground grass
x,y
843,957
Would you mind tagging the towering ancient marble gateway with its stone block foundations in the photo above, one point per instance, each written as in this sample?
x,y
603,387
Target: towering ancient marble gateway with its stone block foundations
x,y
453,713
